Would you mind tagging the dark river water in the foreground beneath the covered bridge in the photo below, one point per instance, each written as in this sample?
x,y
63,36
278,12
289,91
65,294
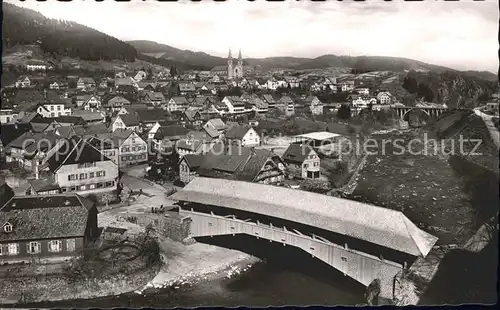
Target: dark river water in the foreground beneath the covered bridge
x,y
286,276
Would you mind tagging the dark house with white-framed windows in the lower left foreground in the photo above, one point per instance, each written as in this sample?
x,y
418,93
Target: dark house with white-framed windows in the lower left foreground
x,y
46,228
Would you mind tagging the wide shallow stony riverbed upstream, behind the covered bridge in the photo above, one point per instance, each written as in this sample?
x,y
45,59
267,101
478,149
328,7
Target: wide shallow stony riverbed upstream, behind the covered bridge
x,y
423,187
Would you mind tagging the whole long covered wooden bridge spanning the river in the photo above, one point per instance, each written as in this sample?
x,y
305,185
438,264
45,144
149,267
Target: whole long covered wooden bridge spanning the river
x,y
361,241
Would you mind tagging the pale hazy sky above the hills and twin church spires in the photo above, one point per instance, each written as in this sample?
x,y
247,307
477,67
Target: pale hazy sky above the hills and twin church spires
x,y
461,34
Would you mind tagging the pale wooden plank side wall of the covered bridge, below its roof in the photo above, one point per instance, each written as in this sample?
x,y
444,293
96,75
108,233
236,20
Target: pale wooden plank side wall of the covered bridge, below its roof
x,y
360,266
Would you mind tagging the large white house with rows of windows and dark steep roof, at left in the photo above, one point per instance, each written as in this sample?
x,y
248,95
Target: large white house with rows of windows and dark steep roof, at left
x,y
82,168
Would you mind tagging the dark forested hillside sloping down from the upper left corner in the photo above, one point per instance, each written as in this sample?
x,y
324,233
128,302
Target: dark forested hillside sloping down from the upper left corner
x,y
60,38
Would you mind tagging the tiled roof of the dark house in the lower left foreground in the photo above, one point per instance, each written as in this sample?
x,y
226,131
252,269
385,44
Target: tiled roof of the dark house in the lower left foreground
x,y
45,217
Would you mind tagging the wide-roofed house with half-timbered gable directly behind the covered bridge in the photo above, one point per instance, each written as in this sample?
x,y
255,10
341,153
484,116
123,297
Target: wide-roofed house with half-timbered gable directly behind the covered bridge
x,y
237,163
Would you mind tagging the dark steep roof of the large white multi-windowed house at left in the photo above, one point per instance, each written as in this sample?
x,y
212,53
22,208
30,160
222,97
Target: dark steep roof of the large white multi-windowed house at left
x,y
78,151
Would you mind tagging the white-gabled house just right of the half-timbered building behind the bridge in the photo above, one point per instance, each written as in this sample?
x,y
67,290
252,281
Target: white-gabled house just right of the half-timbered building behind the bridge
x,y
304,158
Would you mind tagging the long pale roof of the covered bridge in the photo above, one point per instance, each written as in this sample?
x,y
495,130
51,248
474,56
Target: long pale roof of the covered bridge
x,y
385,227
